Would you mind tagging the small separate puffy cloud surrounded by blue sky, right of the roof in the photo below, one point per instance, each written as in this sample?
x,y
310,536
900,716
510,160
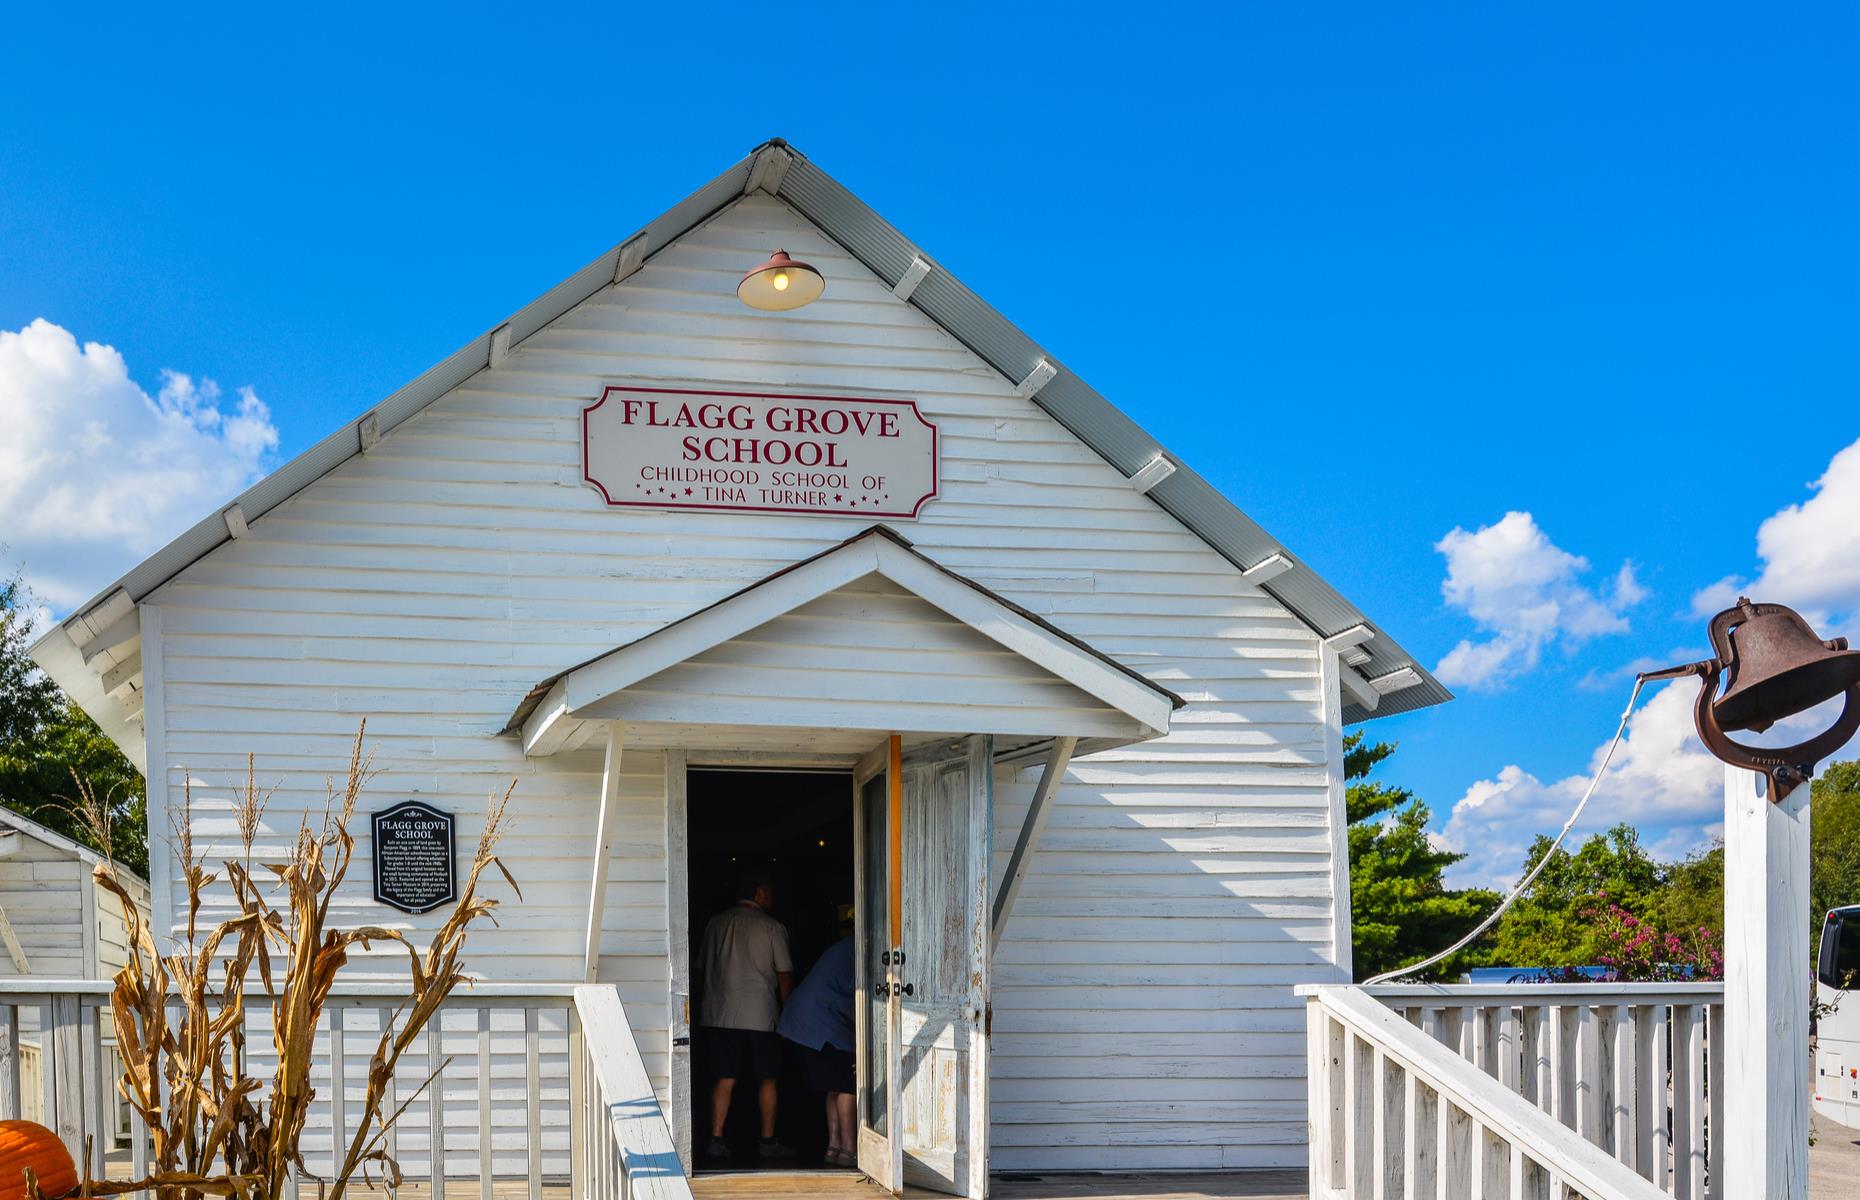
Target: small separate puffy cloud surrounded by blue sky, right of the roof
x,y
1524,594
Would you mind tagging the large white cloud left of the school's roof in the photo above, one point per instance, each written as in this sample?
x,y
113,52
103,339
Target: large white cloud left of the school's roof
x,y
96,473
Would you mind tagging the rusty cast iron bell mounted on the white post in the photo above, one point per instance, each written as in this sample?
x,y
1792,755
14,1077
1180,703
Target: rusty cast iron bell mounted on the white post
x,y
1777,669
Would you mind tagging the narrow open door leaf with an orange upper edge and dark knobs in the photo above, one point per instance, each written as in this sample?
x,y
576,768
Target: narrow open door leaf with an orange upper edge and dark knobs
x,y
877,1013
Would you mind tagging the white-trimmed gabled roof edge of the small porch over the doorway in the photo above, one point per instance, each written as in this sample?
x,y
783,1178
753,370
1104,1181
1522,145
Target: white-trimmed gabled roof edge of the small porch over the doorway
x,y
873,552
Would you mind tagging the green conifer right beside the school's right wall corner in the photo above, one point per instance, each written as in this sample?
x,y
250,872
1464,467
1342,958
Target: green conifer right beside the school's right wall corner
x,y
1402,909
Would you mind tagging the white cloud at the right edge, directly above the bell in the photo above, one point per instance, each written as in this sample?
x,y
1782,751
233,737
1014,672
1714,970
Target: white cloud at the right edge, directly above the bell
x,y
1811,555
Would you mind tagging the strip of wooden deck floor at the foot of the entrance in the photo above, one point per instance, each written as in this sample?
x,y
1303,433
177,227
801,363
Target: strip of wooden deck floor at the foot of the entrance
x,y
1020,1186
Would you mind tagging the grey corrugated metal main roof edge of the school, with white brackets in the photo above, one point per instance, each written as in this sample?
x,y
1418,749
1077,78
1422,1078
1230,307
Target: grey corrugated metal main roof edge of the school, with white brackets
x,y
1381,678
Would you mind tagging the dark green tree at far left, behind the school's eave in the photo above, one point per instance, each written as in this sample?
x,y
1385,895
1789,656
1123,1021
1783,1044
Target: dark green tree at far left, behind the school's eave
x,y
46,740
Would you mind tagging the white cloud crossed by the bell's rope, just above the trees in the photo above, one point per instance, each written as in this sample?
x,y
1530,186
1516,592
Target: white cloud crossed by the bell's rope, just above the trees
x,y
1662,780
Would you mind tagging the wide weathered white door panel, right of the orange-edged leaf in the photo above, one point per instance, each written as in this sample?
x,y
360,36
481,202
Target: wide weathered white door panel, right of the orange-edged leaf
x,y
942,1076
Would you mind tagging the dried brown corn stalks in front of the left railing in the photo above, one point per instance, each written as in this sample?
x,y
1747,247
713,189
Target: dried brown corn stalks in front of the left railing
x,y
181,1017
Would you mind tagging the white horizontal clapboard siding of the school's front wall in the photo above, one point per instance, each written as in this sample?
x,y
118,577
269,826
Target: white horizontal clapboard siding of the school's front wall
x,y
1184,885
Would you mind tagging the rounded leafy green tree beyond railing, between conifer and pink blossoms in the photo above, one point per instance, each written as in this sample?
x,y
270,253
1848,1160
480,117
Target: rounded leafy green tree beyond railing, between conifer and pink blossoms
x,y
1554,926
